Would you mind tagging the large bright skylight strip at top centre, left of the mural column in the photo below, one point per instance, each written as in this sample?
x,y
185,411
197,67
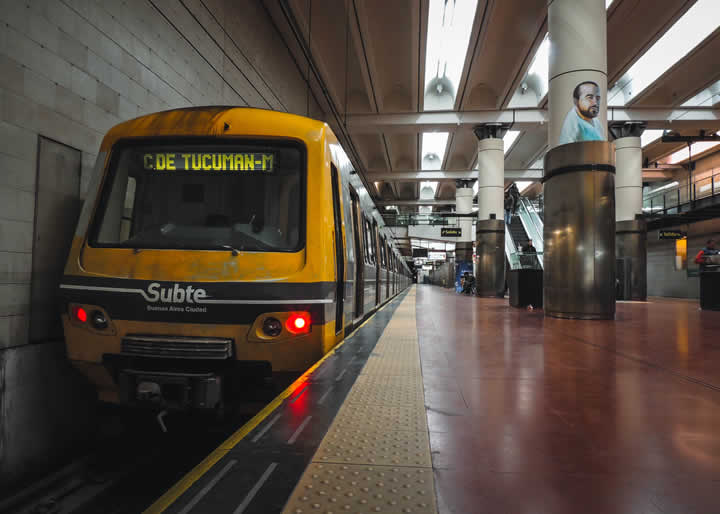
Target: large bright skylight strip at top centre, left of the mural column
x,y
448,36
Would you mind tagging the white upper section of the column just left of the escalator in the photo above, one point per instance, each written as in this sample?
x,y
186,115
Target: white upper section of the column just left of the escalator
x,y
491,178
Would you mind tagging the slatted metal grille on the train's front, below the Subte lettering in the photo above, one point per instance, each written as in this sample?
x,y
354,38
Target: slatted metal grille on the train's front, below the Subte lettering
x,y
177,347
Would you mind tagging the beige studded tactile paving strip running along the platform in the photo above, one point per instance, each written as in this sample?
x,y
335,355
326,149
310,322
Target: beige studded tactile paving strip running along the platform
x,y
376,454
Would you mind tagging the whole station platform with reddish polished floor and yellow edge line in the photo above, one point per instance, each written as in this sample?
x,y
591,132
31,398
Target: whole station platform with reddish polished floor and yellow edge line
x,y
454,404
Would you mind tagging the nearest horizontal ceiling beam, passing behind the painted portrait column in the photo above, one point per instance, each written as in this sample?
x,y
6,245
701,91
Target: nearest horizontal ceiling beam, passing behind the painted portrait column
x,y
688,118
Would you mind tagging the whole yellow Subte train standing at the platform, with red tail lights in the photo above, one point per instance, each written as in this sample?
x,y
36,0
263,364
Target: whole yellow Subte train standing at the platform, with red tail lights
x,y
216,242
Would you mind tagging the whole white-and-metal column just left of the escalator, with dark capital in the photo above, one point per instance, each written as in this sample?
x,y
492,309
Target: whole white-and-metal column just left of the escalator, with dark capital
x,y
490,230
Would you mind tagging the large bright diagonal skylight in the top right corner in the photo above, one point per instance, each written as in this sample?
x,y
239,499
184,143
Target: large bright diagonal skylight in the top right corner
x,y
691,29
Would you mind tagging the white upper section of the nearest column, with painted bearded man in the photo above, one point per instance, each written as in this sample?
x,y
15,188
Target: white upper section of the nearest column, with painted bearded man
x,y
578,54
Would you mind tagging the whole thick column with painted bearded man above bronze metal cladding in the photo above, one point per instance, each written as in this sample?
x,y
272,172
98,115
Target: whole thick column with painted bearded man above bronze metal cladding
x,y
579,176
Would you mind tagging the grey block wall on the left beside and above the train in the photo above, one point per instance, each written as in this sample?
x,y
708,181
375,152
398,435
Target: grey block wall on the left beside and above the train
x,y
69,70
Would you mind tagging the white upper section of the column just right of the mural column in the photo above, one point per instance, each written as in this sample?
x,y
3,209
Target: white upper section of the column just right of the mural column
x,y
628,178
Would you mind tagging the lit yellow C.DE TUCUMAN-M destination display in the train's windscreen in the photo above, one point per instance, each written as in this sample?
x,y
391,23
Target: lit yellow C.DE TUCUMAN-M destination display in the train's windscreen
x,y
193,161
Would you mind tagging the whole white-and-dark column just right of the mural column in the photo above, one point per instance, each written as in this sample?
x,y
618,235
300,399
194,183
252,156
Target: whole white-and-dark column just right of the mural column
x,y
630,233
